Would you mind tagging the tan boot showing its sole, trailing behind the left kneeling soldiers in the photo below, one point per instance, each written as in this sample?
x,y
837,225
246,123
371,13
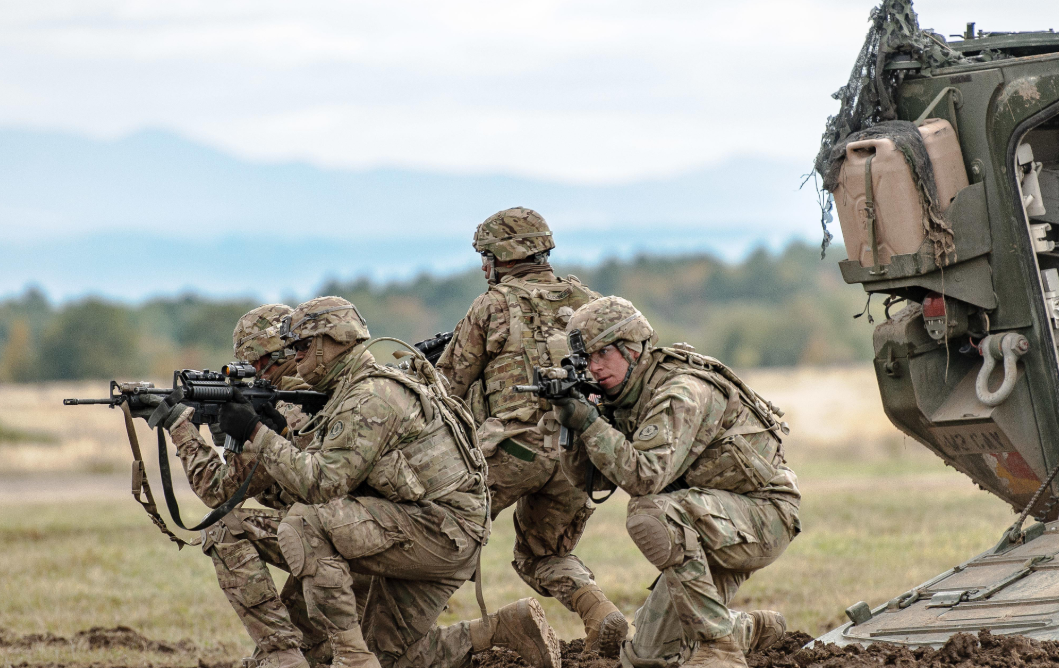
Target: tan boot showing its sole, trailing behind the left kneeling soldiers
x,y
520,627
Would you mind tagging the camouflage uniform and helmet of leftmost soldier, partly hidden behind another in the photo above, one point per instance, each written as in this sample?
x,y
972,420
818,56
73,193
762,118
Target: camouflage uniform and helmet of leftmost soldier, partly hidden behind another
x,y
245,540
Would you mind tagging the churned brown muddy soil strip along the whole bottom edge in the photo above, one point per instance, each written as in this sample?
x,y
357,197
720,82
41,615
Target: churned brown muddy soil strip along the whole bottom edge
x,y
963,651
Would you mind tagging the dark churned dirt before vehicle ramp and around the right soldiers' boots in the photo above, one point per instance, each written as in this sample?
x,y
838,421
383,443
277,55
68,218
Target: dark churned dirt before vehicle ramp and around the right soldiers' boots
x,y
962,651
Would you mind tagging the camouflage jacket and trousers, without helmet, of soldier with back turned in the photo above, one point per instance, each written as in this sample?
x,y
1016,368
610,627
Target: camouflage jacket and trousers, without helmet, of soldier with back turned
x,y
551,514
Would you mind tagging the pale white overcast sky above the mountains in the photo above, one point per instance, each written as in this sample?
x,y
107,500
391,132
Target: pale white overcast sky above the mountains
x,y
587,92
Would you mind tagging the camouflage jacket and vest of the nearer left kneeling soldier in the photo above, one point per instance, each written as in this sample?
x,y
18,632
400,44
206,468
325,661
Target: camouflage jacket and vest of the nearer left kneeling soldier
x,y
375,430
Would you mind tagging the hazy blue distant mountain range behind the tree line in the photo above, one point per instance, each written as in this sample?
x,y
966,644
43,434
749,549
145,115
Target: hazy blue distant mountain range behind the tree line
x,y
156,213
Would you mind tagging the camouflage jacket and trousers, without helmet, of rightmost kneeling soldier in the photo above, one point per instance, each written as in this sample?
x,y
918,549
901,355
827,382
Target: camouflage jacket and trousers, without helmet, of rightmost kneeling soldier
x,y
706,543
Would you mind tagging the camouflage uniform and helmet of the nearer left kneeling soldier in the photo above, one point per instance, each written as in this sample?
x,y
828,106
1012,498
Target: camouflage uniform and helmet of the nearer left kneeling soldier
x,y
392,488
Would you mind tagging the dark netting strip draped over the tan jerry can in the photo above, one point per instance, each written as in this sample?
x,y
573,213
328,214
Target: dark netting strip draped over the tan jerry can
x,y
908,139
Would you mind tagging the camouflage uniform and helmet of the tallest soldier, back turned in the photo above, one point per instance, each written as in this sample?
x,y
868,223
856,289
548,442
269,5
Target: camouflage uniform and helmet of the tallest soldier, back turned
x,y
517,324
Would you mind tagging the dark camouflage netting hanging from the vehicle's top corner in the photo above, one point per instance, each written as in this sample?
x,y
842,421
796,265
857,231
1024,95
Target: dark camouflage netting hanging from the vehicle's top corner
x,y
868,99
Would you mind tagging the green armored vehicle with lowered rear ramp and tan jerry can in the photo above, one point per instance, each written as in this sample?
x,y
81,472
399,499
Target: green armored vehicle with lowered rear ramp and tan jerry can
x,y
944,169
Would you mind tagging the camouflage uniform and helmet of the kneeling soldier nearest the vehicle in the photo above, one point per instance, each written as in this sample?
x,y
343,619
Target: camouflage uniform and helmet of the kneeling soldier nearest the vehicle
x,y
712,502
